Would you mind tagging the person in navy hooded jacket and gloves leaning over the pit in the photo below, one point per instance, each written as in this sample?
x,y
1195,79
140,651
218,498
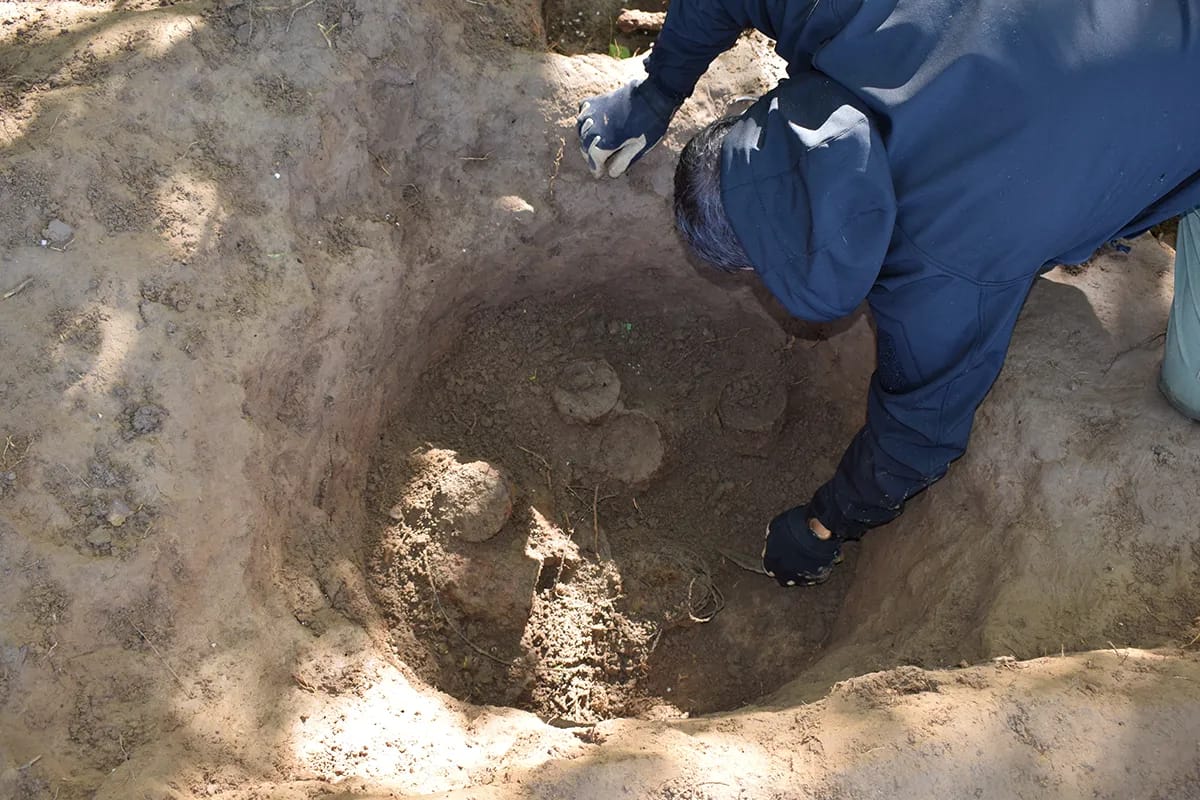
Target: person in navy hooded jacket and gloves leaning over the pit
x,y
932,158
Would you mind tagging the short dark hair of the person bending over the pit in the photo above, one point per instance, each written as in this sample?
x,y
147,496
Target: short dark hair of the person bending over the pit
x,y
700,213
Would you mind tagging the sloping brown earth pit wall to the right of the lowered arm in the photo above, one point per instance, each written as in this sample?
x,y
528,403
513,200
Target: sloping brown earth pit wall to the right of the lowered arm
x,y
1069,526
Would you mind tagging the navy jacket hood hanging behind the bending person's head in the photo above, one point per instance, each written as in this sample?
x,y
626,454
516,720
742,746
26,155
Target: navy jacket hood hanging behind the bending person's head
x,y
808,191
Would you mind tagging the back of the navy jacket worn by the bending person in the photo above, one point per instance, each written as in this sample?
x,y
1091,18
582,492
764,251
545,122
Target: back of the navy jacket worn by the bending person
x,y
1027,131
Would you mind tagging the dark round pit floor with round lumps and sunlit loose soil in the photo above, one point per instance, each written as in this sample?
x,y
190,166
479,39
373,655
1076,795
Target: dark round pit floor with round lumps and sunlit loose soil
x,y
609,424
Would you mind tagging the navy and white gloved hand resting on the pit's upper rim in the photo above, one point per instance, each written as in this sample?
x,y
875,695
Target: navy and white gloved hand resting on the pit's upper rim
x,y
620,128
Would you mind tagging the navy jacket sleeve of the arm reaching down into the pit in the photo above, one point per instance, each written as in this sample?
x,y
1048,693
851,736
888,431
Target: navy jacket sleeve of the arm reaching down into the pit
x,y
941,344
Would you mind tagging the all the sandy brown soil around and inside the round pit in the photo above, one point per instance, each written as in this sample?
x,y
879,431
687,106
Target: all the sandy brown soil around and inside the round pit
x,y
355,443
